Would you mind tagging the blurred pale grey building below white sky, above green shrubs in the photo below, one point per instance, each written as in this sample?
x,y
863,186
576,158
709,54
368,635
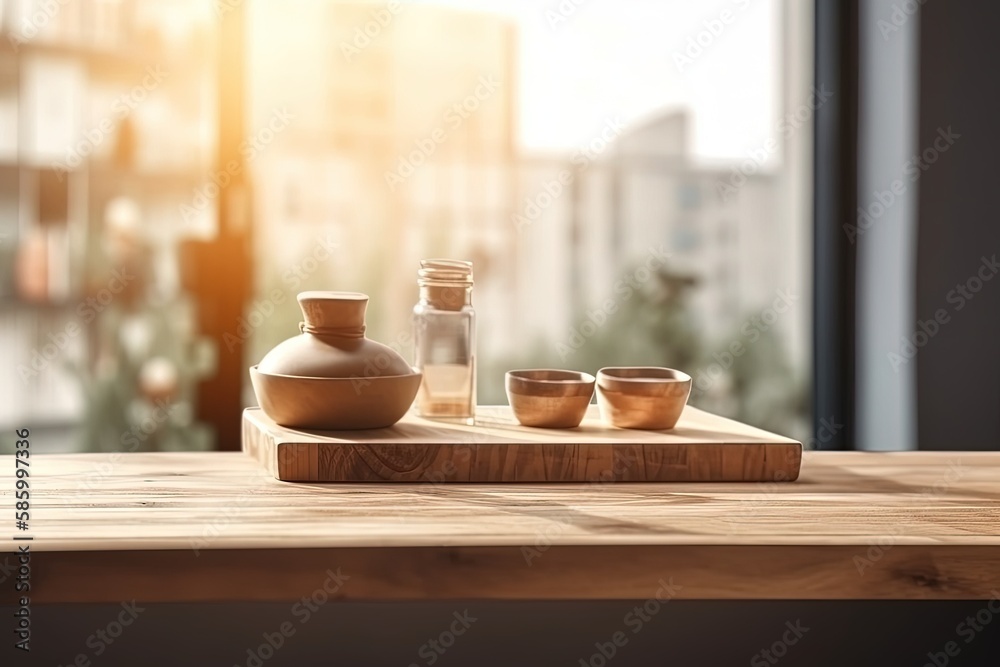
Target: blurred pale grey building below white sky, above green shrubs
x,y
641,197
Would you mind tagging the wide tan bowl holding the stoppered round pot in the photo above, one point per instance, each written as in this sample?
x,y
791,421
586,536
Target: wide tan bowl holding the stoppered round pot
x,y
335,403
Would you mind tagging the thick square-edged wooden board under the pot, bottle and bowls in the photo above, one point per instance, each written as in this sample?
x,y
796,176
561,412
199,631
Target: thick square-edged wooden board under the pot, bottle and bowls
x,y
701,448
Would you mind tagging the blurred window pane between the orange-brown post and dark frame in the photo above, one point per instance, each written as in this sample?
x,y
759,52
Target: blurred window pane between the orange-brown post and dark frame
x,y
443,129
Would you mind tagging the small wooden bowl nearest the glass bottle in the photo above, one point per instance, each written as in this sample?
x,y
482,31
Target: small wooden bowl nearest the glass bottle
x,y
547,398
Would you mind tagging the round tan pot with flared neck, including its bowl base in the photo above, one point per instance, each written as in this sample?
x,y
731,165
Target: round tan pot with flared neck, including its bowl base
x,y
330,376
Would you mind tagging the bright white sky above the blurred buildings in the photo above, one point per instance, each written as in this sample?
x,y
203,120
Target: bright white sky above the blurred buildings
x,y
617,57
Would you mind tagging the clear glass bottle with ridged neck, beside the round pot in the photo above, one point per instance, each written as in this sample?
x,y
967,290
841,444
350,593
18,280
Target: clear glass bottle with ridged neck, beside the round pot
x,y
444,334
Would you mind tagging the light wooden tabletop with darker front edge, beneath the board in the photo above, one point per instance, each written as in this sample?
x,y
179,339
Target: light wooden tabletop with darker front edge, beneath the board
x,y
213,526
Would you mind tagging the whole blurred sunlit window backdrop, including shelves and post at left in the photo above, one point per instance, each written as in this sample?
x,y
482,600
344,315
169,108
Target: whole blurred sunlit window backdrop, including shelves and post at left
x,y
623,163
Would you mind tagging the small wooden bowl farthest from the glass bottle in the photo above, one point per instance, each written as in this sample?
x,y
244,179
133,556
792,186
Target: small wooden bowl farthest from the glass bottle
x,y
642,397
